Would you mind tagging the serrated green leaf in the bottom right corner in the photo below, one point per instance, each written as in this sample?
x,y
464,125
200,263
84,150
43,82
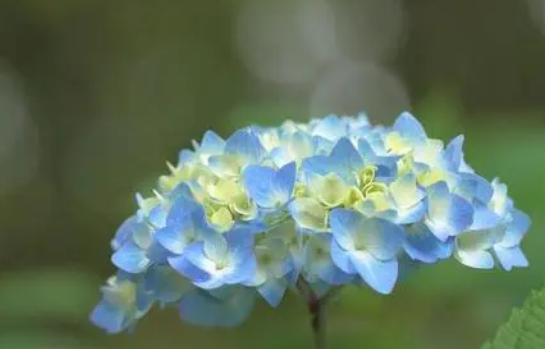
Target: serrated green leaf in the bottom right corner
x,y
526,327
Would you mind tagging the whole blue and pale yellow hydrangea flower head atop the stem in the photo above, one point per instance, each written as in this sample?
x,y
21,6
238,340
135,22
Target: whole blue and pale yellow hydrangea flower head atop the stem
x,y
328,203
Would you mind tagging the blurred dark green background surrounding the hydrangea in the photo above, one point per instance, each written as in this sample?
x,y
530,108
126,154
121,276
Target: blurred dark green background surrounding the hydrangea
x,y
95,95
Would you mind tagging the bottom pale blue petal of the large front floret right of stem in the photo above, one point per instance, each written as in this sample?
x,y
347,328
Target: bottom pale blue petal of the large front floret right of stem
x,y
380,275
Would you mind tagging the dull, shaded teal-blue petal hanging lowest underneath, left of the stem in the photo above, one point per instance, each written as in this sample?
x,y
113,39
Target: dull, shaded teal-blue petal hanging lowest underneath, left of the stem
x,y
200,308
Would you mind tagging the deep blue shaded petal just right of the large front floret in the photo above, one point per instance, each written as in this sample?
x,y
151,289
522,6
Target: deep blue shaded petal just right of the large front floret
x,y
420,244
